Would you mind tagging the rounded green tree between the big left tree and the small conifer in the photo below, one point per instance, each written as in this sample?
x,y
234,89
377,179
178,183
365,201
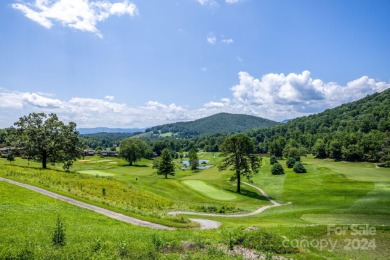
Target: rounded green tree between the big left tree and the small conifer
x,y
132,149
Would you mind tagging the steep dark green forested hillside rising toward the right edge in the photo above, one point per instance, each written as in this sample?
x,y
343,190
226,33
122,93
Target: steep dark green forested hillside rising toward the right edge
x,y
355,131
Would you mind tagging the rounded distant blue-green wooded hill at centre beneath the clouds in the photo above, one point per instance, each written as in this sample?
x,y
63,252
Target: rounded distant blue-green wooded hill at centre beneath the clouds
x,y
219,123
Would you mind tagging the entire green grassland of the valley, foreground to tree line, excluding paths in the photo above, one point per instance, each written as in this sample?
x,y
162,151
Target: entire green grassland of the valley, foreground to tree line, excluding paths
x,y
330,194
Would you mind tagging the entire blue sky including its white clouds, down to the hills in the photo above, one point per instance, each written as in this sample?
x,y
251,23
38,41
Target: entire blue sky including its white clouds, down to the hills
x,y
135,63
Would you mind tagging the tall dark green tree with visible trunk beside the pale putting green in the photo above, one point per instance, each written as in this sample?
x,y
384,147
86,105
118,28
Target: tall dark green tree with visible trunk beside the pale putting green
x,y
237,151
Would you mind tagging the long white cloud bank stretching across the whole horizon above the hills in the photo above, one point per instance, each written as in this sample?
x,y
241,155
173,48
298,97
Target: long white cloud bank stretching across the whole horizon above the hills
x,y
272,96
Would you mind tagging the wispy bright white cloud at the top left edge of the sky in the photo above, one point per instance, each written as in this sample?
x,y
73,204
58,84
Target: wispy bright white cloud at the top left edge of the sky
x,y
78,14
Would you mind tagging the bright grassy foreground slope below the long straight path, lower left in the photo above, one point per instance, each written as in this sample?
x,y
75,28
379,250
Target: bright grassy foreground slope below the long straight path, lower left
x,y
27,220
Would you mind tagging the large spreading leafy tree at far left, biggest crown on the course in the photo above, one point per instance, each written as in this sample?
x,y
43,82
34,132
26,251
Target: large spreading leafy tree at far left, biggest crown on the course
x,y
46,138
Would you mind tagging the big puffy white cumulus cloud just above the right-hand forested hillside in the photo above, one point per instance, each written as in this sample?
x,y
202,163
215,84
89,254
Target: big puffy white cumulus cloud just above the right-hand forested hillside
x,y
279,96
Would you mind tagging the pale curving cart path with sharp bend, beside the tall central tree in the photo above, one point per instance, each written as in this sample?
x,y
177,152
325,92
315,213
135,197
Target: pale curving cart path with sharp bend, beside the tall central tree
x,y
259,210
